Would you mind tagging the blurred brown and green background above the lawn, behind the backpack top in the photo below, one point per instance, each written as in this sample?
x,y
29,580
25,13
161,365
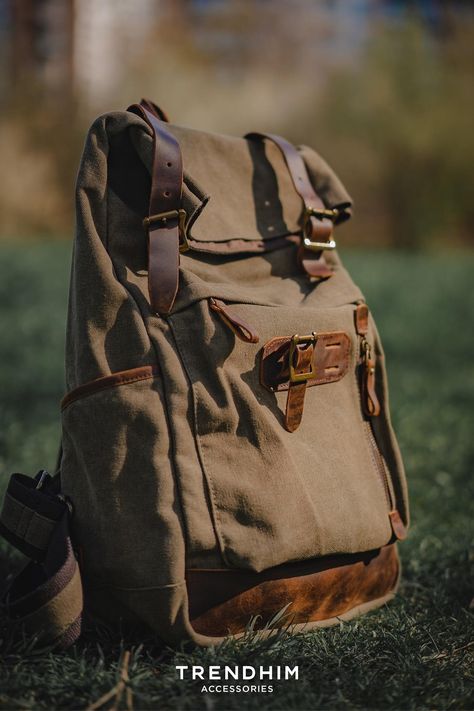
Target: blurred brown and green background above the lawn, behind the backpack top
x,y
383,89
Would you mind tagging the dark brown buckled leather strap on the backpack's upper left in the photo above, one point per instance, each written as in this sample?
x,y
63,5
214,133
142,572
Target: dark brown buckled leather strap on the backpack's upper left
x,y
166,217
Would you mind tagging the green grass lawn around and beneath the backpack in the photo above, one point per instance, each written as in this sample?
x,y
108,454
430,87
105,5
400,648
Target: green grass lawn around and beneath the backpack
x,y
415,654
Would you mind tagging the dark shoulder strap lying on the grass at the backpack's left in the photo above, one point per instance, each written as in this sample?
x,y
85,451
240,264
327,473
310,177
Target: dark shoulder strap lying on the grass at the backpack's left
x,y
45,598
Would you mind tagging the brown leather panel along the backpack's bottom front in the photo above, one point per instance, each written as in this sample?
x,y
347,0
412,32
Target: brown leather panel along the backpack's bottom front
x,y
223,601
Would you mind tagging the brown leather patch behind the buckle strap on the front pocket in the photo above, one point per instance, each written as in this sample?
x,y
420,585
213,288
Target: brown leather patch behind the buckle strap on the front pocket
x,y
330,360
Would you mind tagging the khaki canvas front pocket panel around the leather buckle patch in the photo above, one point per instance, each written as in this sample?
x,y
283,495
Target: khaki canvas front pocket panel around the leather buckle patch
x,y
279,496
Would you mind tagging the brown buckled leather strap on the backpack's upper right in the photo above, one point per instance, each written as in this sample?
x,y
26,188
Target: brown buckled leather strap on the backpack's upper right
x,y
317,227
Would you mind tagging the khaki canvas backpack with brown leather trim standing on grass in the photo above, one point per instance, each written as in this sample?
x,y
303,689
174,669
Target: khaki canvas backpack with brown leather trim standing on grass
x,y
227,451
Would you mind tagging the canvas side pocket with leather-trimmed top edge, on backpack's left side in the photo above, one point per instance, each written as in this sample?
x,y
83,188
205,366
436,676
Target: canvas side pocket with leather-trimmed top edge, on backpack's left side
x,y
117,471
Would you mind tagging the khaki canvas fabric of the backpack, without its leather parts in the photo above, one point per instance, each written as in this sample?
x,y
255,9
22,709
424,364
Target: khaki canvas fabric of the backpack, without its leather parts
x,y
191,466
